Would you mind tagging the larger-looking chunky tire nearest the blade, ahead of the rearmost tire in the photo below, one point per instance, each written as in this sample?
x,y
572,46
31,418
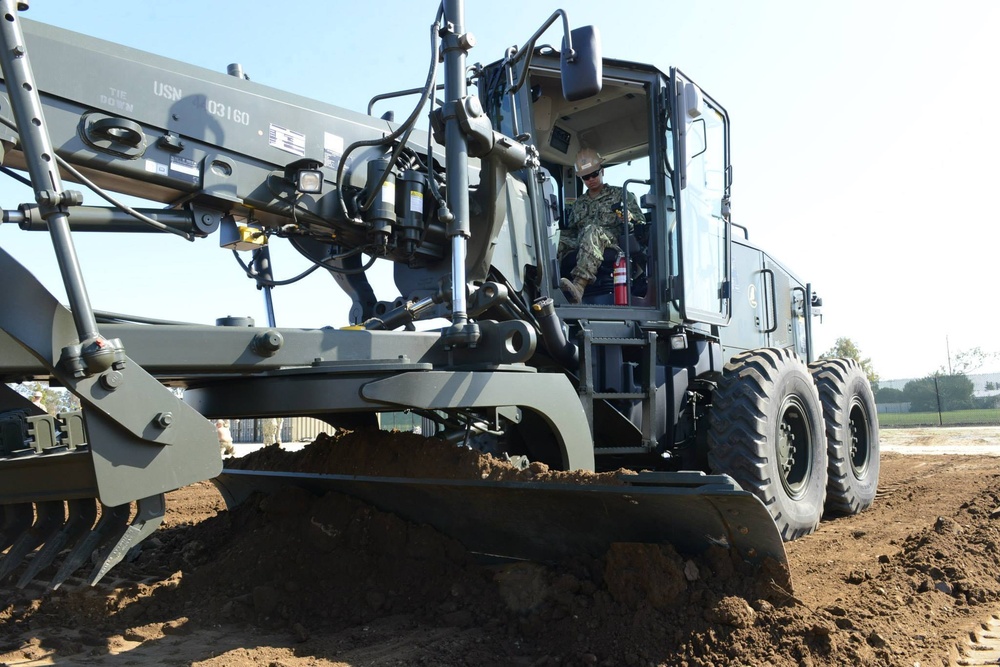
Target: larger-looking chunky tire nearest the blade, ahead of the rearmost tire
x,y
766,431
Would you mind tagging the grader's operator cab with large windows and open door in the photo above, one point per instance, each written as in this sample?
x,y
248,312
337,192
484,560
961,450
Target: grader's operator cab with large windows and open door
x,y
641,122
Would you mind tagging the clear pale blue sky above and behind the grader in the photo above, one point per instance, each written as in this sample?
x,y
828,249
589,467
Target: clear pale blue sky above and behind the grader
x,y
863,155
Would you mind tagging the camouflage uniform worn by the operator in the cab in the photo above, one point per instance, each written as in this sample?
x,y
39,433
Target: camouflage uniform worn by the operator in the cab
x,y
595,225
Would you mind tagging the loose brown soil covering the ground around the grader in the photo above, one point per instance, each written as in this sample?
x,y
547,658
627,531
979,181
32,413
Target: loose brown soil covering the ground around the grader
x,y
292,579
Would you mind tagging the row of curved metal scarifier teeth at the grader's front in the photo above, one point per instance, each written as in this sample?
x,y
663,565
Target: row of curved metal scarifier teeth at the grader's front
x,y
39,534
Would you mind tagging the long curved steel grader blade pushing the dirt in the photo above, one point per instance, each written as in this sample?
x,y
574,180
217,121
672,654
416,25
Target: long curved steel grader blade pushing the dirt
x,y
549,521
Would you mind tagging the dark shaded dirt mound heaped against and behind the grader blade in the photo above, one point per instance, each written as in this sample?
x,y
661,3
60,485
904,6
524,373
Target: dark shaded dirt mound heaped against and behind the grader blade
x,y
318,544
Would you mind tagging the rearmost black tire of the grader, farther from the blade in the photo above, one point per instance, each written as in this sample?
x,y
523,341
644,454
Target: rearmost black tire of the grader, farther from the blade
x,y
851,435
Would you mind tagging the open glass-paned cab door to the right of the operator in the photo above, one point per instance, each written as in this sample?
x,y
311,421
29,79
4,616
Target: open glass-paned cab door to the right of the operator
x,y
700,129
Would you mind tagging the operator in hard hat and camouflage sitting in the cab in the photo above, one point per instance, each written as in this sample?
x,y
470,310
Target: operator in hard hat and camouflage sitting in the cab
x,y
595,224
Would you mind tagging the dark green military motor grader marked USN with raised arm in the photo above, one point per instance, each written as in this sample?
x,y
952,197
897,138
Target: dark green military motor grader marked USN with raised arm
x,y
693,362
